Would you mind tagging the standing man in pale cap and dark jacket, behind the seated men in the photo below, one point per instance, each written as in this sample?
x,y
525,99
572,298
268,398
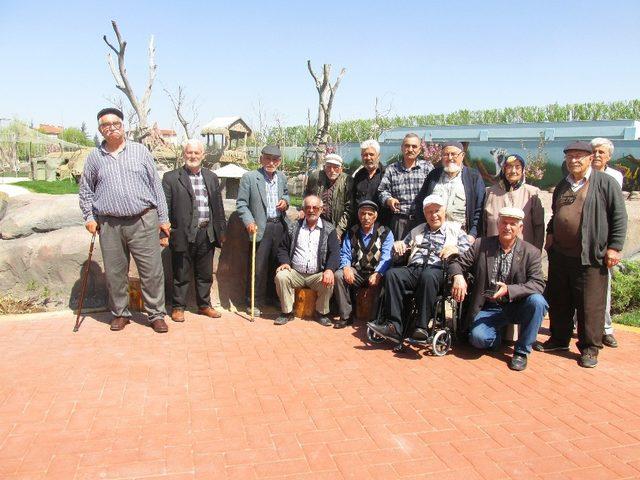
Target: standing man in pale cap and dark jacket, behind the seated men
x,y
334,188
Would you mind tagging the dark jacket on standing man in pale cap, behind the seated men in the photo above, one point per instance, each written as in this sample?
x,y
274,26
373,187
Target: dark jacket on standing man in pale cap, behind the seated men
x,y
341,206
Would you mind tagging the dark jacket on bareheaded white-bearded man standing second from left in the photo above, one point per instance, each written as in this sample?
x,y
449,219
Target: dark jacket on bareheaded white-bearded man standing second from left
x,y
182,212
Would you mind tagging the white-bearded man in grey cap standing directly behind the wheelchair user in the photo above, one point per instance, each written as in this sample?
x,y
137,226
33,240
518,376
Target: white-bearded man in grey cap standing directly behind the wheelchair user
x,y
461,187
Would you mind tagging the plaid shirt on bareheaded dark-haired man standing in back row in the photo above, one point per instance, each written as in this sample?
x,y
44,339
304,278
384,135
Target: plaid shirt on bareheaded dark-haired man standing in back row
x,y
403,184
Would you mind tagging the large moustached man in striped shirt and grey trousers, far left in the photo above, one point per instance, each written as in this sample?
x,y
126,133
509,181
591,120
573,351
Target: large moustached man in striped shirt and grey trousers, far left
x,y
121,196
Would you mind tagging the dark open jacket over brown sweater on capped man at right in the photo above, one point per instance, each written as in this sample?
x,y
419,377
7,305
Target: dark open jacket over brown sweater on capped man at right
x,y
604,217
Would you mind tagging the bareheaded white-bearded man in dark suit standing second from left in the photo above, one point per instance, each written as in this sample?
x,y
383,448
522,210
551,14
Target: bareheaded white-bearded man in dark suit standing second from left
x,y
197,226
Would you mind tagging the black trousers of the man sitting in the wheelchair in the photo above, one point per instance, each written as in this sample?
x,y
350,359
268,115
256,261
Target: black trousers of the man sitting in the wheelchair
x,y
424,282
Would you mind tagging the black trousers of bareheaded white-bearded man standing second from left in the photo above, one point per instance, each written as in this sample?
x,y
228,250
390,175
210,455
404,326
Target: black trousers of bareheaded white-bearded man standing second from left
x,y
197,259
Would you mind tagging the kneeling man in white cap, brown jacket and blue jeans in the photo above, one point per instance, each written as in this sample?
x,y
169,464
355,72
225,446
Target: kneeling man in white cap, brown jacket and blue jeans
x,y
508,285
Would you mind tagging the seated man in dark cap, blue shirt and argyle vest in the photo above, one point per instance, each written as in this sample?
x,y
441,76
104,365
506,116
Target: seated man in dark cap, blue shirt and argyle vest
x,y
365,256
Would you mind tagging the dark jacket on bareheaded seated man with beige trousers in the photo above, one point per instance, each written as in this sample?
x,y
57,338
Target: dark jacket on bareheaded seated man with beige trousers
x,y
328,246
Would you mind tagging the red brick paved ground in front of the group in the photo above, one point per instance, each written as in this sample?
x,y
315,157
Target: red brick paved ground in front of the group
x,y
231,399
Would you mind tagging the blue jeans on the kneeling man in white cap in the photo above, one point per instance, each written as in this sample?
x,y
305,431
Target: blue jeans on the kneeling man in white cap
x,y
528,313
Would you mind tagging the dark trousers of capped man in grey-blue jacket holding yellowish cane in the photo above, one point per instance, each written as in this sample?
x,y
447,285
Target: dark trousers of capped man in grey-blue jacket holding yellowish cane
x,y
266,263
